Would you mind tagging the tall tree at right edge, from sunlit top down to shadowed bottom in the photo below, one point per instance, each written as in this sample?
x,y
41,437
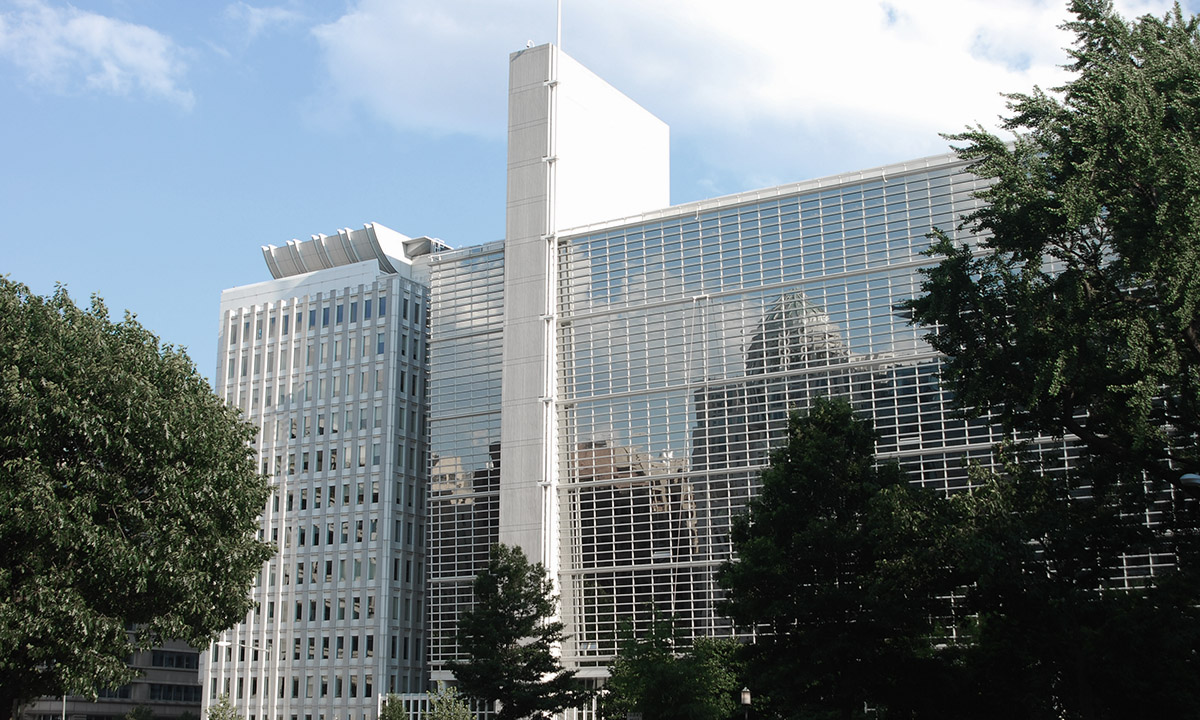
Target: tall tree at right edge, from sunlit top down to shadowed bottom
x,y
1077,314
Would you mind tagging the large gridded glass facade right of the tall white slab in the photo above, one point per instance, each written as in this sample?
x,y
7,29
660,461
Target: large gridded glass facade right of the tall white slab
x,y
685,339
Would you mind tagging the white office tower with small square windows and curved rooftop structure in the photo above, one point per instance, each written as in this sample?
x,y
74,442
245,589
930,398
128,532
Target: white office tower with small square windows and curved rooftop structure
x,y
329,361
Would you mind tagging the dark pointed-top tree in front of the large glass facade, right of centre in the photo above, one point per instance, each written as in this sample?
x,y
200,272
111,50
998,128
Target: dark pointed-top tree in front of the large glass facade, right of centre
x,y
842,569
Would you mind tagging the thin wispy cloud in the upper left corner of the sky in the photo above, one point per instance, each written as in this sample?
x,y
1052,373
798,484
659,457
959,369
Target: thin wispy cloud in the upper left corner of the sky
x,y
61,47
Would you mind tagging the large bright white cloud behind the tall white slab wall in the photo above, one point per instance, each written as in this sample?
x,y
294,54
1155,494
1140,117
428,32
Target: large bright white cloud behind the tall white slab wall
x,y
772,85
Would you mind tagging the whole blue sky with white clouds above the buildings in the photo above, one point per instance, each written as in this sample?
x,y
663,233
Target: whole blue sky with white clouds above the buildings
x,y
149,148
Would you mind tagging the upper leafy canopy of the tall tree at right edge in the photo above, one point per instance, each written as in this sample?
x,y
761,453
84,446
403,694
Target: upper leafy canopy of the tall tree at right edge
x,y
1079,309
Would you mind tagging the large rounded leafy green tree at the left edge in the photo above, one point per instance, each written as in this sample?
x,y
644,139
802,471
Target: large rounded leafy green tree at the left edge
x,y
129,495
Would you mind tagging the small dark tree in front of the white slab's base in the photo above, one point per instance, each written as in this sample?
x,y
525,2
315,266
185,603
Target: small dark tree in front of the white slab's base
x,y
509,640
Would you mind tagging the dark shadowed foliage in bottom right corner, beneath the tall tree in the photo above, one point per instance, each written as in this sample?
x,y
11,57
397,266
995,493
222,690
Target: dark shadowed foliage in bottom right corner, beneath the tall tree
x,y
1049,639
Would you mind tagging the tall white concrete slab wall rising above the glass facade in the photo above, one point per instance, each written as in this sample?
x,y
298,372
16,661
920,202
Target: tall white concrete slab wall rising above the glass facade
x,y
579,152
